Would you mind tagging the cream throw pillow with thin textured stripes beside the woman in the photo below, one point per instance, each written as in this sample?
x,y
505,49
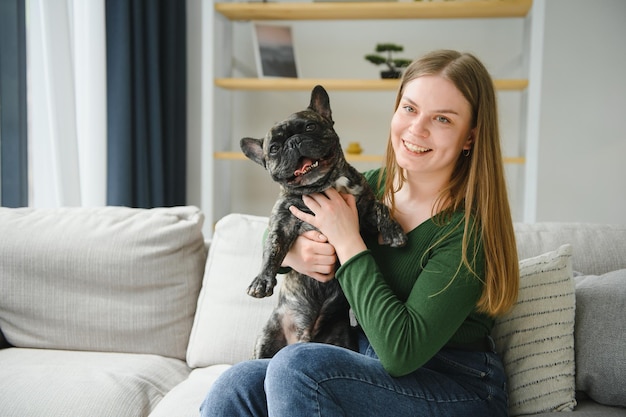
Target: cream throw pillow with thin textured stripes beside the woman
x,y
536,338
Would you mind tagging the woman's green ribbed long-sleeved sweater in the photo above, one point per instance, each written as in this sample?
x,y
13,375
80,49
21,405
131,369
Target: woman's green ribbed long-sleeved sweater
x,y
411,301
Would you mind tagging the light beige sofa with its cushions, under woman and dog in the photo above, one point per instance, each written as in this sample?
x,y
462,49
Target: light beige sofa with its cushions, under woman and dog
x,y
120,312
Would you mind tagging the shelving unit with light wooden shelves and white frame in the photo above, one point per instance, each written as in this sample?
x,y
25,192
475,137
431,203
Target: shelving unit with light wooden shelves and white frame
x,y
224,13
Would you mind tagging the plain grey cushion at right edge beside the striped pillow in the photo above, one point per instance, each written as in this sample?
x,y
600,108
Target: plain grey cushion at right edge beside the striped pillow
x,y
601,337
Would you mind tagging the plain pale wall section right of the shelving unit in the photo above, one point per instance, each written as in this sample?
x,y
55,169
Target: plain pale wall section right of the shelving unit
x,y
582,148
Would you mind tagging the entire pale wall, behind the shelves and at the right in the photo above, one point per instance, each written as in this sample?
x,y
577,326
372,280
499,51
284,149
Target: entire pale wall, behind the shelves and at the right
x,y
583,96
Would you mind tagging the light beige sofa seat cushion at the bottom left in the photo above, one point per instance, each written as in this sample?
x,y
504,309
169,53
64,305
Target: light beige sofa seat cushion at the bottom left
x,y
56,383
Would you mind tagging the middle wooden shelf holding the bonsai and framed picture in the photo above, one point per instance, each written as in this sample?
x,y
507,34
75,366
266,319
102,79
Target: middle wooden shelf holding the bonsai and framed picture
x,y
307,84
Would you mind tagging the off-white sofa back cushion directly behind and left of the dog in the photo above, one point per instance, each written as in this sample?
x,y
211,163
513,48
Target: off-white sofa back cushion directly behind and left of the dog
x,y
234,260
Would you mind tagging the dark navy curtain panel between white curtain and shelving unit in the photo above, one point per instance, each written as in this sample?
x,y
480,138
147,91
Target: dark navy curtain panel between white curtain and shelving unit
x,y
146,102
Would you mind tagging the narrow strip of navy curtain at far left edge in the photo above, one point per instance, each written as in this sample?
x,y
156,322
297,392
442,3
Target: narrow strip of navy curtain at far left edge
x,y
13,125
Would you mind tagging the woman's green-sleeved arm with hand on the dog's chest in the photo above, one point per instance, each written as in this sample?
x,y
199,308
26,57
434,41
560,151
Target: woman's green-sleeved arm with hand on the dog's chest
x,y
405,332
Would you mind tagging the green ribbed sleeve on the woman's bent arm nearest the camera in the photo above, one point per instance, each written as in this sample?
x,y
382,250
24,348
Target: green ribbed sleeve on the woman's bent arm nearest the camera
x,y
405,334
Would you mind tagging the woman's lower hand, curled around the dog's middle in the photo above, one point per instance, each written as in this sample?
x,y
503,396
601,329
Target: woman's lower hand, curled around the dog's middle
x,y
312,255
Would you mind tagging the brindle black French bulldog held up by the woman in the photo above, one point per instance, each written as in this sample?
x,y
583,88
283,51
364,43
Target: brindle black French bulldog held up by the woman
x,y
304,156
